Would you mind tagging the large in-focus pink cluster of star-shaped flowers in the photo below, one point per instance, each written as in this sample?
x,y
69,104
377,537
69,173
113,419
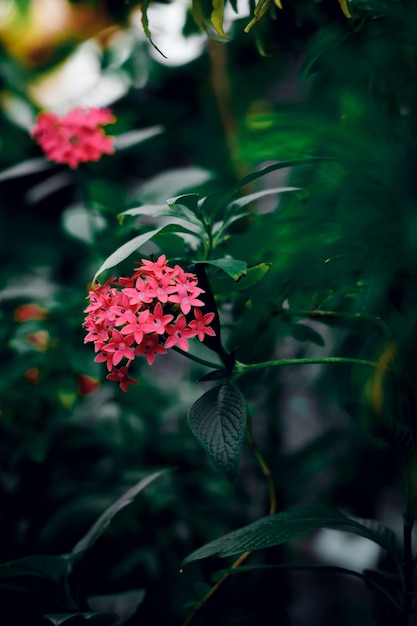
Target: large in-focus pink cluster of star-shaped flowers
x,y
156,308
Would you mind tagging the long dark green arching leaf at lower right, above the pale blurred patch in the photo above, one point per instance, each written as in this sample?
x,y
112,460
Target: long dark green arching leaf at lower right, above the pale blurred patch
x,y
275,530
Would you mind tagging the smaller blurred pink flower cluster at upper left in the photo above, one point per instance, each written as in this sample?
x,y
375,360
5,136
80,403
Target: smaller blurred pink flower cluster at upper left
x,y
76,137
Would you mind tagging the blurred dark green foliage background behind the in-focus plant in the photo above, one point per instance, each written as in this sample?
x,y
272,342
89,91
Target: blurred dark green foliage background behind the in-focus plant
x,y
306,81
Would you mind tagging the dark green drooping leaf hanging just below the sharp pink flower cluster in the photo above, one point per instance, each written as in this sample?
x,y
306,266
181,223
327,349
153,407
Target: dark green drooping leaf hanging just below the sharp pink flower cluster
x,y
218,421
